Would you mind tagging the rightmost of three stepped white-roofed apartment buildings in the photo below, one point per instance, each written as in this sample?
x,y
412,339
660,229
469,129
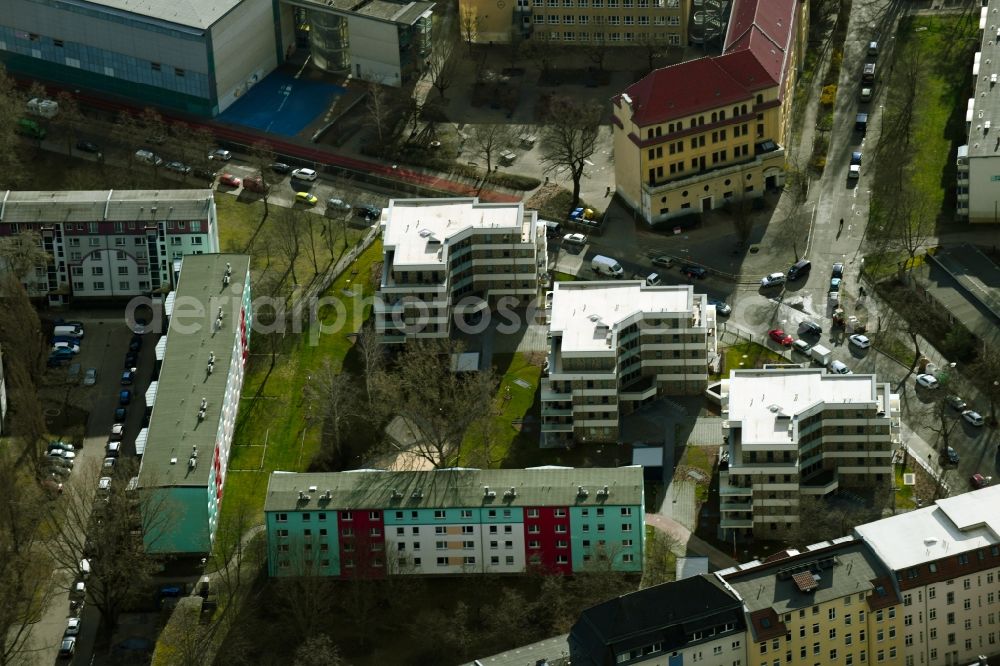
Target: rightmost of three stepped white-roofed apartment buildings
x,y
800,431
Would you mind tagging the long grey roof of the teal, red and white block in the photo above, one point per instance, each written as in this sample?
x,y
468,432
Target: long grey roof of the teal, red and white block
x,y
456,488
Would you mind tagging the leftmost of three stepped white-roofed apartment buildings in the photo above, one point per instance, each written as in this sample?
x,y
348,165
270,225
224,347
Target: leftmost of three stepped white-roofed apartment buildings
x,y
445,259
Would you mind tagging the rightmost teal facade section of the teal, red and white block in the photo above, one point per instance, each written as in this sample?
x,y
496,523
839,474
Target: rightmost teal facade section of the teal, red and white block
x,y
615,525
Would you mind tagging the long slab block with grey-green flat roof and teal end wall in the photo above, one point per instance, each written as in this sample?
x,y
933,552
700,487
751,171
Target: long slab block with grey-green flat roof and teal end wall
x,y
194,402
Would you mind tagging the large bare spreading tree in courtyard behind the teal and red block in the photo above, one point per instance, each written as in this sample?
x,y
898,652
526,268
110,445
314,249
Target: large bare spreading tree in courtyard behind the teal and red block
x,y
438,404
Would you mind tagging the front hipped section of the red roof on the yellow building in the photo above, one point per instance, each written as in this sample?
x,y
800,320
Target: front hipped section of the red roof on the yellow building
x,y
682,90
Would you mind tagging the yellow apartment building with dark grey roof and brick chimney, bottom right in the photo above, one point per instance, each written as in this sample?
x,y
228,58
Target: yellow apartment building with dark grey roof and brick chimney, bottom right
x,y
832,603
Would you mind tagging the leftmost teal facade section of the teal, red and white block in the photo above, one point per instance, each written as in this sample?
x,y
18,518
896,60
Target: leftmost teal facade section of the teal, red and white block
x,y
316,553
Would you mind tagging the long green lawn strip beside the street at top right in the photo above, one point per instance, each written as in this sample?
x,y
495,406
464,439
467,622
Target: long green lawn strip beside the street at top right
x,y
945,44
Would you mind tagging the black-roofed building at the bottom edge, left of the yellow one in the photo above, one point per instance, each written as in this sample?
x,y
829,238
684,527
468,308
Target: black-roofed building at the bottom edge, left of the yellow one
x,y
695,620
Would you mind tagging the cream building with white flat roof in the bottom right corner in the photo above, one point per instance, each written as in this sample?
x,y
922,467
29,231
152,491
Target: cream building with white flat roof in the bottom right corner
x,y
946,563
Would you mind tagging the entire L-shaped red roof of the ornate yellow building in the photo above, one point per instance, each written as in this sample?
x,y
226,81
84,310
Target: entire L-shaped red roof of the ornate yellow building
x,y
757,44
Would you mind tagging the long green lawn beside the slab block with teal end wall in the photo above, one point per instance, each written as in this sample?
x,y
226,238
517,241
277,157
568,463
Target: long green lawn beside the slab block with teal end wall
x,y
271,430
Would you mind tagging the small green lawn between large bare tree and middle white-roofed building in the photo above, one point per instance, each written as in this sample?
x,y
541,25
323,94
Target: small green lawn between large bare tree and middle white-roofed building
x,y
513,402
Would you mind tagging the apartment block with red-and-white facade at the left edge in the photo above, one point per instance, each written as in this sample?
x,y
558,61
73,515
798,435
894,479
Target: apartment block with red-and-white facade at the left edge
x,y
110,243
